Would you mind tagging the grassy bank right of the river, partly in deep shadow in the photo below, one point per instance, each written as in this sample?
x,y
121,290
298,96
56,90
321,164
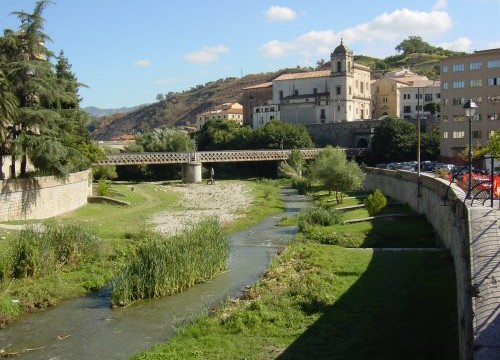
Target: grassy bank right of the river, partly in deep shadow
x,y
322,301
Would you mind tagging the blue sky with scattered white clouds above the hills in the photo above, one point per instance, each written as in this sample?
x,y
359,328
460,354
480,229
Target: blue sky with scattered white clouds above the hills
x,y
129,51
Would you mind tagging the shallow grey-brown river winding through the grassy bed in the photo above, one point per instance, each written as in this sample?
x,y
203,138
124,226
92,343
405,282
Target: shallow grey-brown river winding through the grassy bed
x,y
87,328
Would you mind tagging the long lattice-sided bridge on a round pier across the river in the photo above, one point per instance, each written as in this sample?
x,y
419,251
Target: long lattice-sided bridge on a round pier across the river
x,y
192,161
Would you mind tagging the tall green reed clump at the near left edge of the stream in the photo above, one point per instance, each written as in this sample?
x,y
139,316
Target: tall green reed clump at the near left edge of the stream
x,y
163,266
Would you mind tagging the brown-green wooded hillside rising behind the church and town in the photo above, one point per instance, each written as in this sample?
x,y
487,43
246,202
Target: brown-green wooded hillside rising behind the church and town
x,y
181,108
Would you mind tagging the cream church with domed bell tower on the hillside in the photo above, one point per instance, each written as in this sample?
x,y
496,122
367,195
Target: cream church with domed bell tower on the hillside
x,y
340,94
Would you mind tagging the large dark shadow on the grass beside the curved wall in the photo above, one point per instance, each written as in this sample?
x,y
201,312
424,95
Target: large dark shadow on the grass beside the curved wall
x,y
402,307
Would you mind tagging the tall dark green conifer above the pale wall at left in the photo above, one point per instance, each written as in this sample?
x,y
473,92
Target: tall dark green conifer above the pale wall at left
x,y
50,127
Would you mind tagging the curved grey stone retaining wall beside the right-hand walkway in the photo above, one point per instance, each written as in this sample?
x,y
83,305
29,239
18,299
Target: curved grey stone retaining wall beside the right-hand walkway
x,y
450,221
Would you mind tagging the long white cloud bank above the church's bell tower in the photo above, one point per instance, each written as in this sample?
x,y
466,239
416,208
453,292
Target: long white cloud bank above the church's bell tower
x,y
385,30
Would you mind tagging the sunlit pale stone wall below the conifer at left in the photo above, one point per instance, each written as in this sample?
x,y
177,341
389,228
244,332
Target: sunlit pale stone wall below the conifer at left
x,y
43,197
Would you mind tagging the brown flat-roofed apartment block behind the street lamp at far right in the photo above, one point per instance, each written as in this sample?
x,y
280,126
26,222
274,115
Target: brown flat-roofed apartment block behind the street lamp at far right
x,y
474,76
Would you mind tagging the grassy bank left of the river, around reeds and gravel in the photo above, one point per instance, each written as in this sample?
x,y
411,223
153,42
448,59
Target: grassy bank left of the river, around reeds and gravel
x,y
117,229
